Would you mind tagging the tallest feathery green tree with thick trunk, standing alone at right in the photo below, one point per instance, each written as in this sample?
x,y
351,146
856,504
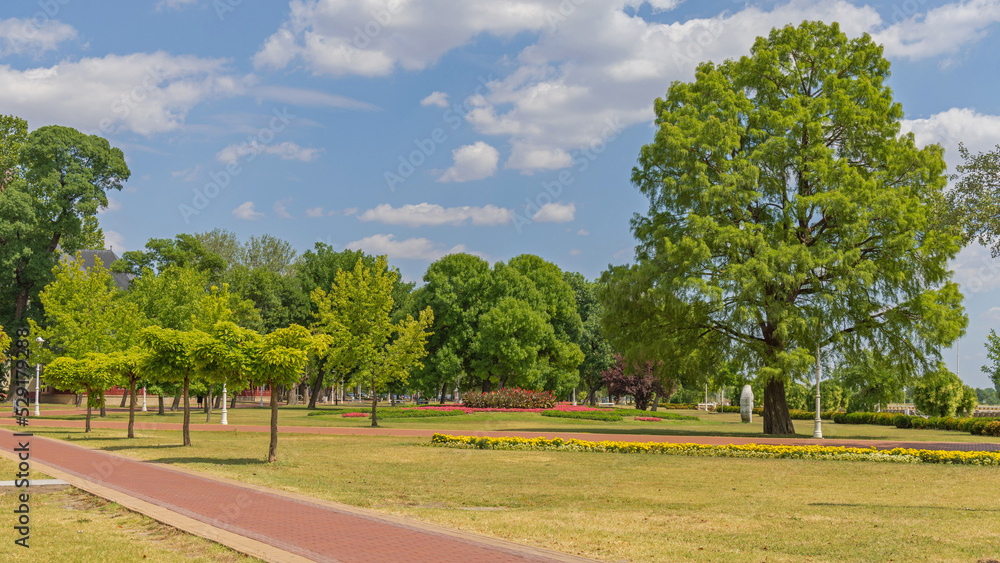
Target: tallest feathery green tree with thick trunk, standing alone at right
x,y
787,212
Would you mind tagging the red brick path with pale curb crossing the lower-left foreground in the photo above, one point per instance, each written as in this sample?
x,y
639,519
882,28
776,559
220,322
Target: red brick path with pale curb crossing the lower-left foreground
x,y
315,531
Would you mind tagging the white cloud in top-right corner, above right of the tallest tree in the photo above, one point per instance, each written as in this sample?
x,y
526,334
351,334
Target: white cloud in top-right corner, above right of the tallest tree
x,y
942,30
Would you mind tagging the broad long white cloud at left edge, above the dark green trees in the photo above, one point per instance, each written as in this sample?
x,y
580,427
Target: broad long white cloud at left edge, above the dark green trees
x,y
145,93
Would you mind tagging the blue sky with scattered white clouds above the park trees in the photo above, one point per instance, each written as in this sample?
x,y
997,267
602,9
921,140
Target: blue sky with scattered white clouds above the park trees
x,y
415,128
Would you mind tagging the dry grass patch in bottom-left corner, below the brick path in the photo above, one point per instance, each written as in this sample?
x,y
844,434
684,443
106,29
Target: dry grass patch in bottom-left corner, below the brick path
x,y
73,526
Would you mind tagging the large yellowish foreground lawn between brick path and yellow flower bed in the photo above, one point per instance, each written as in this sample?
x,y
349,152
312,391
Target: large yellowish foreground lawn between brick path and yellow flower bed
x,y
619,507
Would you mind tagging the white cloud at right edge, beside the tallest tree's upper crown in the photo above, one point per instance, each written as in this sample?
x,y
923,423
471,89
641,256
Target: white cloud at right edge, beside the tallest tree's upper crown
x,y
978,131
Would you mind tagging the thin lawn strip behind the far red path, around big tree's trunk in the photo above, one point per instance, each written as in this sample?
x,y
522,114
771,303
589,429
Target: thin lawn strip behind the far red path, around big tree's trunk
x,y
712,424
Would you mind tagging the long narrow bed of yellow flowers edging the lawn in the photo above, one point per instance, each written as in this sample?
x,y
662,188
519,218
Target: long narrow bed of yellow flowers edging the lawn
x,y
897,455
